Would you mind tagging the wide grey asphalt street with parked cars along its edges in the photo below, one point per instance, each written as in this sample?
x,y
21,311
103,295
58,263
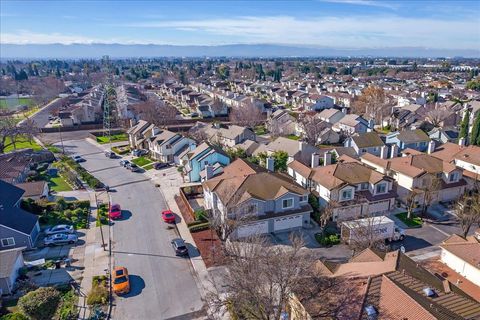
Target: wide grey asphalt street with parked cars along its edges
x,y
163,285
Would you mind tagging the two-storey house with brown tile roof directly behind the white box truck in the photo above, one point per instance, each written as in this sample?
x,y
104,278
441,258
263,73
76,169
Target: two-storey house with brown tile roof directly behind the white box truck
x,y
351,188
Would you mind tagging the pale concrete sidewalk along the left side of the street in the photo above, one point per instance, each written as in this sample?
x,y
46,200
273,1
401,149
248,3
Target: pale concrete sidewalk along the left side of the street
x,y
96,259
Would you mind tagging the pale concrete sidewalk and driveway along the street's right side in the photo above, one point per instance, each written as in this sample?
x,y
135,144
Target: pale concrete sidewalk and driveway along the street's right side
x,y
170,180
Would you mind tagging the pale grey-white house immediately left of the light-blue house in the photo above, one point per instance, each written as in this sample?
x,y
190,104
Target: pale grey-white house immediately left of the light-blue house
x,y
167,146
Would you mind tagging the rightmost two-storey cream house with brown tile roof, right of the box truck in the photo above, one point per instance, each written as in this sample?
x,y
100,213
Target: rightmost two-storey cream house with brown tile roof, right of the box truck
x,y
419,173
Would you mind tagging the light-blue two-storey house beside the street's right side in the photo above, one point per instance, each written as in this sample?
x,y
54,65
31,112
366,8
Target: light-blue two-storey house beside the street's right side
x,y
205,158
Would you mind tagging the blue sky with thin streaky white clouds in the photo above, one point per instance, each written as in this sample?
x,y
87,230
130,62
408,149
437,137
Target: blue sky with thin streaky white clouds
x,y
326,23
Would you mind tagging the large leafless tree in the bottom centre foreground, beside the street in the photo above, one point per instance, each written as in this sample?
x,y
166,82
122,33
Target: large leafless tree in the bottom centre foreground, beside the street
x,y
260,278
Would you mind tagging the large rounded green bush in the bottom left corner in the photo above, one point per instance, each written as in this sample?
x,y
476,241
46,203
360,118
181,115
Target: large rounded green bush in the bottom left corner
x,y
40,304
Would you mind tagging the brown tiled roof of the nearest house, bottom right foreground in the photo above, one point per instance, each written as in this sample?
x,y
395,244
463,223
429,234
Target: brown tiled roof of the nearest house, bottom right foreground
x,y
379,285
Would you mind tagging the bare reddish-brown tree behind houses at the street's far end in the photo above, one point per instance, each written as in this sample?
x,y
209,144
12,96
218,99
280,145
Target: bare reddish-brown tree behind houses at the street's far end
x,y
156,112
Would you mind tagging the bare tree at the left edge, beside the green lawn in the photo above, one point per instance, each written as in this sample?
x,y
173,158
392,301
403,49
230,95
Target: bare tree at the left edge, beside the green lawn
x,y
11,133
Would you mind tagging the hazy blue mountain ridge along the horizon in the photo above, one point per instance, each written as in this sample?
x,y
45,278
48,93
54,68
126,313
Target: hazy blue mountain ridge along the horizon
x,y
234,50
